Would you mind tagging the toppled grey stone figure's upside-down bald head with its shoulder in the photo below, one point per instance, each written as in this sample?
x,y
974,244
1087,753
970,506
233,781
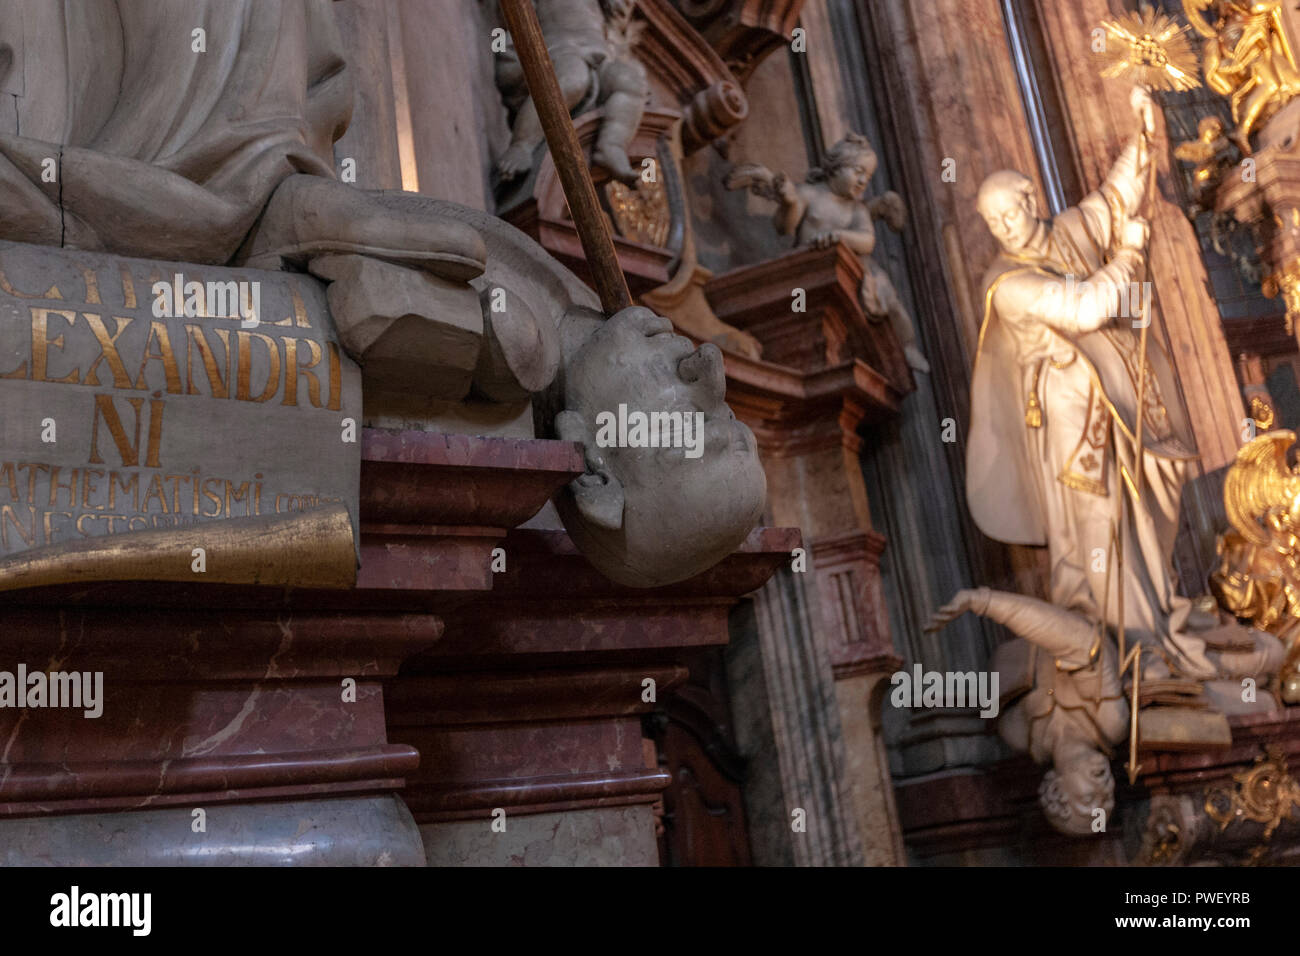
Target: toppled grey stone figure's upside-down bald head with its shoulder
x,y
644,517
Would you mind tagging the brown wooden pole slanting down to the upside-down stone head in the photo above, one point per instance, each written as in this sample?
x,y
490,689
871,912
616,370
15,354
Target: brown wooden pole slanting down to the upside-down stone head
x,y
593,230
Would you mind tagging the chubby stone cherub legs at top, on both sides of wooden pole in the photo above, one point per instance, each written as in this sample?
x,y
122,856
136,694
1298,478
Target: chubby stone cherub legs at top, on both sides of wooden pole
x,y
590,42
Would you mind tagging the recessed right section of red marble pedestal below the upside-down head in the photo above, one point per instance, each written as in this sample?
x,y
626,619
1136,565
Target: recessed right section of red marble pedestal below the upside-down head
x,y
528,715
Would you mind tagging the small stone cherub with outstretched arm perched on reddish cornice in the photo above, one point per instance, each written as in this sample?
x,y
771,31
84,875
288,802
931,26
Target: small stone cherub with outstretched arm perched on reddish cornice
x,y
833,207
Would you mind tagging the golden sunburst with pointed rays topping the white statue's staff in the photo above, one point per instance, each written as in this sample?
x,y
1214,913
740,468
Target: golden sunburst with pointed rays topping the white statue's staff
x,y
1151,50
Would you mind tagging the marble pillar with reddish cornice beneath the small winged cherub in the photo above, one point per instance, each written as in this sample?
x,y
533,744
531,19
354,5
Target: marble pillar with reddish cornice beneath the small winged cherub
x,y
824,630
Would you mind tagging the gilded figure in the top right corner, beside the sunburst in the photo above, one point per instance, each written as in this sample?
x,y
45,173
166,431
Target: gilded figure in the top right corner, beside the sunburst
x,y
1246,58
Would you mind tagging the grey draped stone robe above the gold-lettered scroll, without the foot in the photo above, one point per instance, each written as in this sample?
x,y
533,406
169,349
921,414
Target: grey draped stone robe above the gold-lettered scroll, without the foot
x,y
159,150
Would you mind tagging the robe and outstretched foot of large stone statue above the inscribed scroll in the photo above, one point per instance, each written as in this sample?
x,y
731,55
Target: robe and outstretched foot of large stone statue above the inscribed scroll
x,y
166,150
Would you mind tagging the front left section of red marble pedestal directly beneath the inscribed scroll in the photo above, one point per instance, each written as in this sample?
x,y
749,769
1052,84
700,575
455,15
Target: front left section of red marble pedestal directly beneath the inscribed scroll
x,y
248,725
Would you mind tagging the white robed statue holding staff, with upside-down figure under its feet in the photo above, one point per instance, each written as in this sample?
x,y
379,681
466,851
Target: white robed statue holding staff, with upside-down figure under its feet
x,y
1055,405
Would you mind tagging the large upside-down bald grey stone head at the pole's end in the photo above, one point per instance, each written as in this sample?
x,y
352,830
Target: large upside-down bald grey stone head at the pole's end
x,y
673,481
